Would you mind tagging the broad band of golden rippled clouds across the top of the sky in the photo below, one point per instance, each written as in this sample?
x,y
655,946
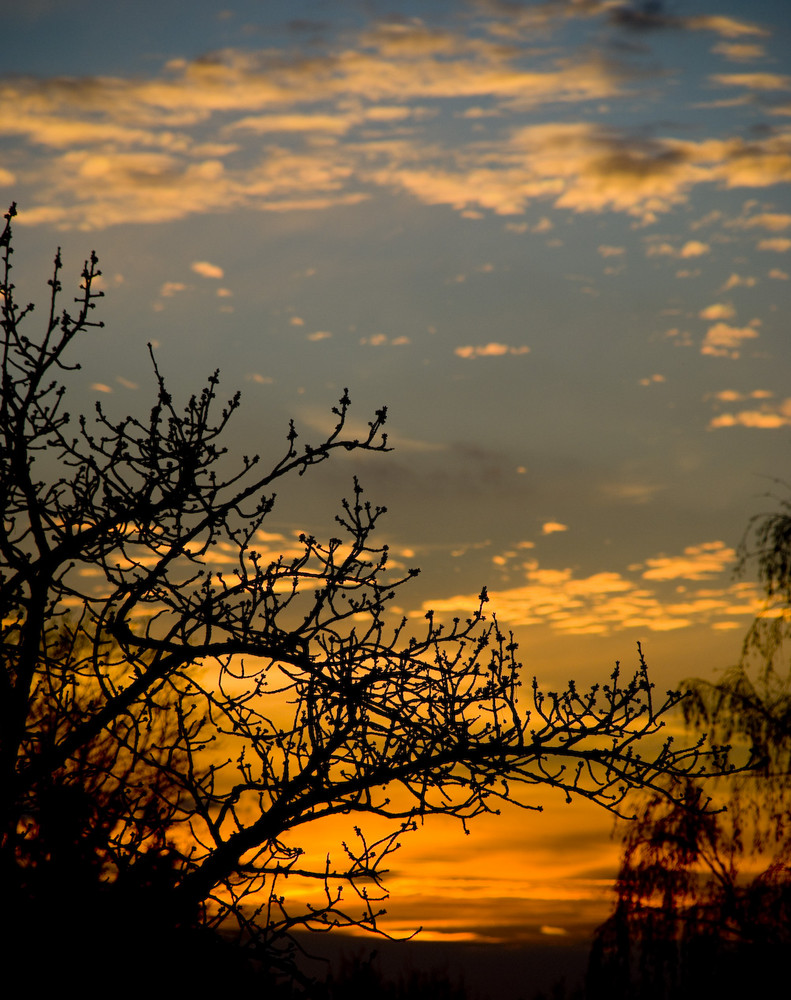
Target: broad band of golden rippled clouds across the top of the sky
x,y
275,131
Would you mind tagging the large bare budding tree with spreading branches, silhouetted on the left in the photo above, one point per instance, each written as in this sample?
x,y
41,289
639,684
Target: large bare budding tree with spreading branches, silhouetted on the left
x,y
167,727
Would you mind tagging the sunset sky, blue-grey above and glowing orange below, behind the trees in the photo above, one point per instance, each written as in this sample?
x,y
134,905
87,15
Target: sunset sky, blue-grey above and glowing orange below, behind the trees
x,y
554,238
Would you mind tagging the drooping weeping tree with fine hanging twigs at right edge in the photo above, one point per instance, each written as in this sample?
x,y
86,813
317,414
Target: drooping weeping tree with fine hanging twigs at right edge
x,y
704,898
